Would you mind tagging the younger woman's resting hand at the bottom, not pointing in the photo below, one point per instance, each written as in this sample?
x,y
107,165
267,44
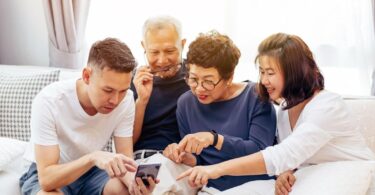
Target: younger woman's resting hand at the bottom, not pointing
x,y
284,183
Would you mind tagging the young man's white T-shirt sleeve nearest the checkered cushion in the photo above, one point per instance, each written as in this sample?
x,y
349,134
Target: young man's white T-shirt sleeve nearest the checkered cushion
x,y
42,123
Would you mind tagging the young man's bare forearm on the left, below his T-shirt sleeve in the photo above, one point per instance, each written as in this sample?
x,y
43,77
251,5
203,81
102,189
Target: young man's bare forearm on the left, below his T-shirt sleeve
x,y
60,175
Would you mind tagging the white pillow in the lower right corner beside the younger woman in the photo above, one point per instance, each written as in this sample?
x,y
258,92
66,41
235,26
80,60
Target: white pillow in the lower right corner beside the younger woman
x,y
334,178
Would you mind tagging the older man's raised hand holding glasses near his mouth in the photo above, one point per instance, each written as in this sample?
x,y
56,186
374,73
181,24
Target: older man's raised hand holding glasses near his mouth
x,y
143,80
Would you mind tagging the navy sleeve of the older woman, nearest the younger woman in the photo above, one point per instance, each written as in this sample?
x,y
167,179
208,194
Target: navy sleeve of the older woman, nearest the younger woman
x,y
262,130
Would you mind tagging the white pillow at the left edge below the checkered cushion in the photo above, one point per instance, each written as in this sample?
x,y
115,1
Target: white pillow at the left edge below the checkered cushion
x,y
10,150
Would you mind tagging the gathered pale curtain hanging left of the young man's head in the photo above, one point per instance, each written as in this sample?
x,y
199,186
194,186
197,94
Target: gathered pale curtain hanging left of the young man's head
x,y
66,22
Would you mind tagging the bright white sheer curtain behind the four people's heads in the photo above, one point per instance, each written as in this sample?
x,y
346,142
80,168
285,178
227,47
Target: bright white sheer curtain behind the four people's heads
x,y
340,32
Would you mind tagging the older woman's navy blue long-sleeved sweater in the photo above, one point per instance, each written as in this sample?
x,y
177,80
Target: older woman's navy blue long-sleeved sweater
x,y
247,124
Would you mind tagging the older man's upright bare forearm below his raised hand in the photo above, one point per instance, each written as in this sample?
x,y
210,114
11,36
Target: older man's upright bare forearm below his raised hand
x,y
140,108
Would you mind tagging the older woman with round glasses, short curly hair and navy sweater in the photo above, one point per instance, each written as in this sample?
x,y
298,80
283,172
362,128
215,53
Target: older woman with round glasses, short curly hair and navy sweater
x,y
219,119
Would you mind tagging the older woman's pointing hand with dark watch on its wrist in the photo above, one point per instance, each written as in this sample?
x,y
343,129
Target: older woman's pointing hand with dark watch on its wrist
x,y
195,143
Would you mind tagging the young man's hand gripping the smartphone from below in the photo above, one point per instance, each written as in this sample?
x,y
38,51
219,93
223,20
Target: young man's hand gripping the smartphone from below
x,y
139,188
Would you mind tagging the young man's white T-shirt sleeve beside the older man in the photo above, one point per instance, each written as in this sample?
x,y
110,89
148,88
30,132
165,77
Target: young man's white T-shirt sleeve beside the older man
x,y
125,126
